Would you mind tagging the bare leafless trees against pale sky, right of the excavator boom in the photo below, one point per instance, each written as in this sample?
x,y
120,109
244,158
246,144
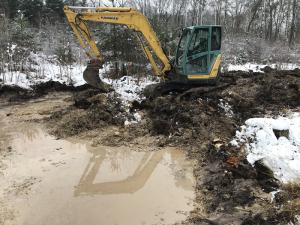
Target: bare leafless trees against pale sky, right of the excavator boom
x,y
269,19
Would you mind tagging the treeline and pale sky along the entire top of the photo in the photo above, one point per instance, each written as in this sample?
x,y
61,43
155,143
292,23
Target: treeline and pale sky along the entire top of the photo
x,y
268,19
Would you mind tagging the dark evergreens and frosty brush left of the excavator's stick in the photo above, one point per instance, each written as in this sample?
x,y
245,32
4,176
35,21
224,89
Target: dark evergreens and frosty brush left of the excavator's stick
x,y
34,26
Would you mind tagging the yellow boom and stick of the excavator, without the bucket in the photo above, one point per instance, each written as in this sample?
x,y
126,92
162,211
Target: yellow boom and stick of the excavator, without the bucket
x,y
134,20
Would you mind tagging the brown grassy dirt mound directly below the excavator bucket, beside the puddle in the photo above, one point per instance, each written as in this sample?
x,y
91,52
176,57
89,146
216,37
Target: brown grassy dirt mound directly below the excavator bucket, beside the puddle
x,y
91,110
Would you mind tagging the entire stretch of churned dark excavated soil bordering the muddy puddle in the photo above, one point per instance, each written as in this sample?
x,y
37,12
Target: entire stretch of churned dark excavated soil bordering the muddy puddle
x,y
202,121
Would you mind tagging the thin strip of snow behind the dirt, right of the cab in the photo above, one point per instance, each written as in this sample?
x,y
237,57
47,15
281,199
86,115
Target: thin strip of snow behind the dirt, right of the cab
x,y
258,67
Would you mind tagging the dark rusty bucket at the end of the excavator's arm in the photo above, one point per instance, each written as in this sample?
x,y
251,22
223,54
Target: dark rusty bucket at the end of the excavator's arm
x,y
91,75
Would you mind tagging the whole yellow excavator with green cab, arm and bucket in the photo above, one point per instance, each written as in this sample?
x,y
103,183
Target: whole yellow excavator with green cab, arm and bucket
x,y
198,55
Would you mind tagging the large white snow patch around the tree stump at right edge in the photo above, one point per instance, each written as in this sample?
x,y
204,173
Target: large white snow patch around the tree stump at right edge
x,y
276,142
